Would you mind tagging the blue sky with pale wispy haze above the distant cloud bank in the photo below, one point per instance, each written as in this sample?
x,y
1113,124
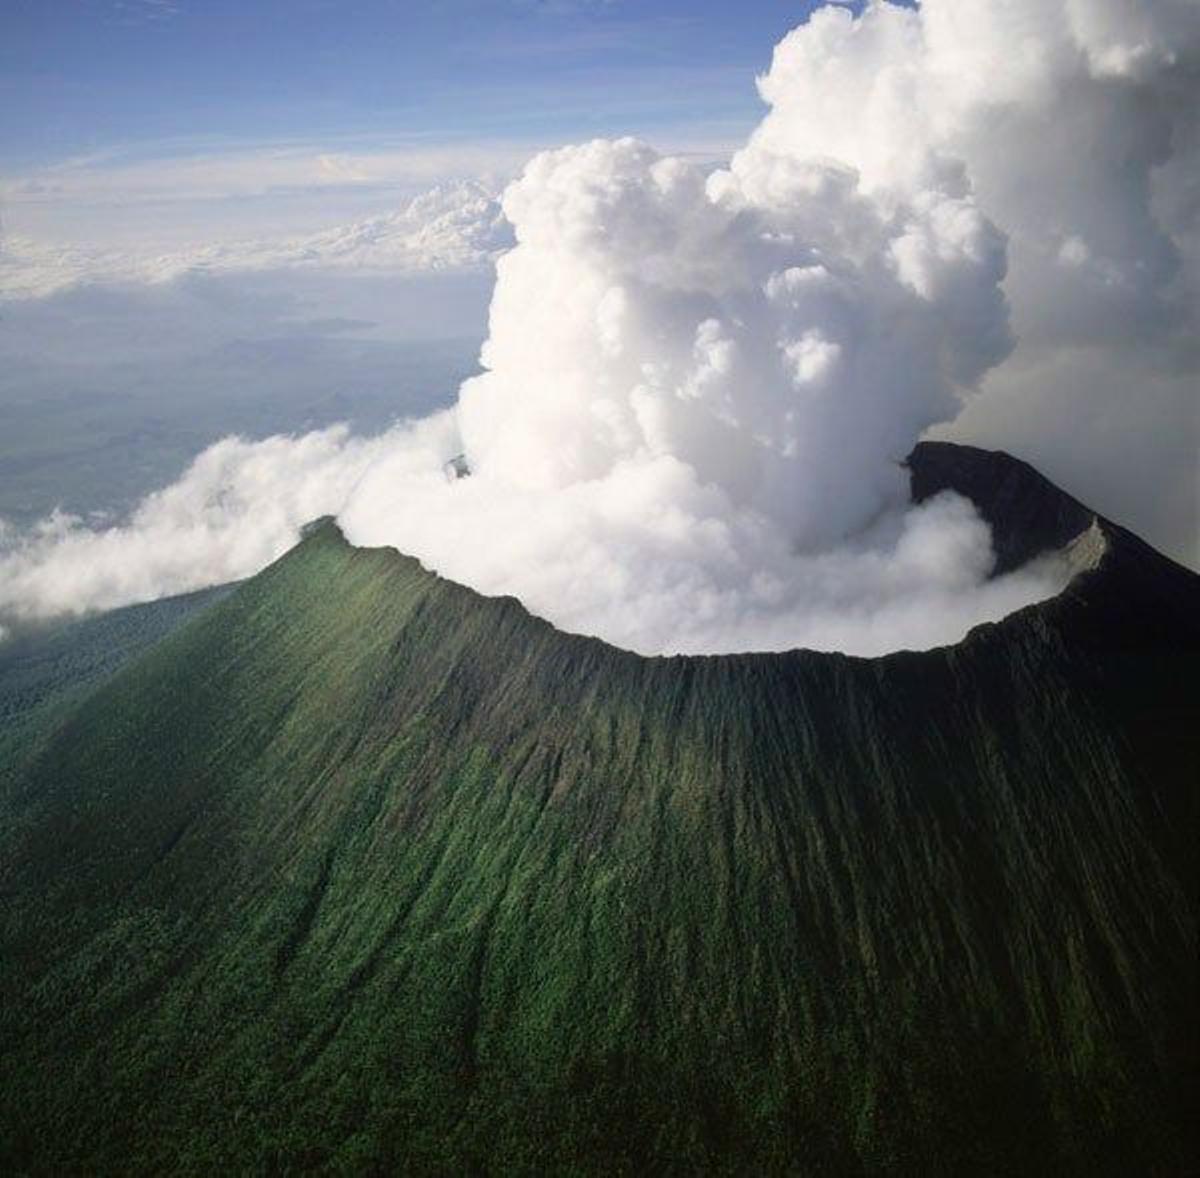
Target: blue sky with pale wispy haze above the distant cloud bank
x,y
154,124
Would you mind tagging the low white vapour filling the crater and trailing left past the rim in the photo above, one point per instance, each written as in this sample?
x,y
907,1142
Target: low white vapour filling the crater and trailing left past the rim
x,y
652,560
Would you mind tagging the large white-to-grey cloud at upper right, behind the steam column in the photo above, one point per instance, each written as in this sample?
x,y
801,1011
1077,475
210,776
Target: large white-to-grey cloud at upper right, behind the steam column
x,y
1076,127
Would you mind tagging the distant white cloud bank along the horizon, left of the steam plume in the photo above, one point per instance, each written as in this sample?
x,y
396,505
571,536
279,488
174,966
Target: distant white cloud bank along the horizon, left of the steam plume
x,y
453,226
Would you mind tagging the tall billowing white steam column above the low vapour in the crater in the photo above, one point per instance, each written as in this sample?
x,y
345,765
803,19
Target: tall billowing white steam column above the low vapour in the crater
x,y
778,334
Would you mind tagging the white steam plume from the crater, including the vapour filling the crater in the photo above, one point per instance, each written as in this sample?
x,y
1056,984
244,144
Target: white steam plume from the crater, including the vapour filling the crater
x,y
698,393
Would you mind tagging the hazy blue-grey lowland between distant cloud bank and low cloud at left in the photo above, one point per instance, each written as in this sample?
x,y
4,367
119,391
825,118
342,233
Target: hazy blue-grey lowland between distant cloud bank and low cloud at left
x,y
94,428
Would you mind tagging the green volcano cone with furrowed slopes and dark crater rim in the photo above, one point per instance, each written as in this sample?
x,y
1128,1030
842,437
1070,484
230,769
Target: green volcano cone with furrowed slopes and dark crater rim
x,y
359,870
